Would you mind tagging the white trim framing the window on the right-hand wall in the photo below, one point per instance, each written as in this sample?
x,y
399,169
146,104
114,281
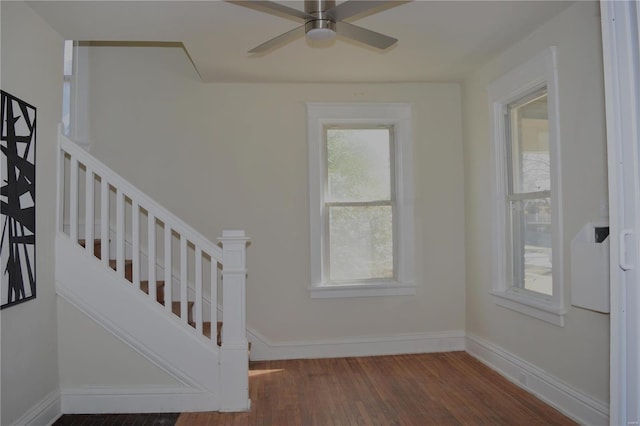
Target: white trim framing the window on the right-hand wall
x,y
537,72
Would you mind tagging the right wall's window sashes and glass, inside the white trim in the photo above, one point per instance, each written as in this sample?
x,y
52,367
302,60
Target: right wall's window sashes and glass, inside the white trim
x,y
529,193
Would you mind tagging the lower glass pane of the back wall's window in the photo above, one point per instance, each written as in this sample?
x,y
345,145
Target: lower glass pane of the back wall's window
x,y
360,243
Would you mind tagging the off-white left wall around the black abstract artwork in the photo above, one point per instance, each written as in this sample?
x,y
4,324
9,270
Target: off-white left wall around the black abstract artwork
x,y
32,71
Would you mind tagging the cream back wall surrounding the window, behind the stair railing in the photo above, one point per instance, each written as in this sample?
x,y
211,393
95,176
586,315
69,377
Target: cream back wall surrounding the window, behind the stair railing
x,y
225,156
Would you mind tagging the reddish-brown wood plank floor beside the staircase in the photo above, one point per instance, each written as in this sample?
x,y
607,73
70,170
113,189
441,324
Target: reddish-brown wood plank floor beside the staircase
x,y
449,388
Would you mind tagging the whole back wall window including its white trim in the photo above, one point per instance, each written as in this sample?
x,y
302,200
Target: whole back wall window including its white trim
x,y
360,193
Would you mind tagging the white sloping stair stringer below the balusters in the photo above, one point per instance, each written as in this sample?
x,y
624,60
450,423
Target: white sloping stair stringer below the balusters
x,y
144,325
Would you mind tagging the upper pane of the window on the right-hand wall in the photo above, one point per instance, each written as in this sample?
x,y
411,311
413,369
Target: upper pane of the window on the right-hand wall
x,y
530,159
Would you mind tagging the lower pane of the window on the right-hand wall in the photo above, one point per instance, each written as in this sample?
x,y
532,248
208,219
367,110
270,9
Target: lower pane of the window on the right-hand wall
x,y
531,227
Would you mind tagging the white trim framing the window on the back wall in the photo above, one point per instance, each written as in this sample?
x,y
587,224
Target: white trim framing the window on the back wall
x,y
398,115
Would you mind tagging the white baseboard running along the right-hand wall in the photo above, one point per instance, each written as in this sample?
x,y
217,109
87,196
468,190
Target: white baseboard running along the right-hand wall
x,y
573,403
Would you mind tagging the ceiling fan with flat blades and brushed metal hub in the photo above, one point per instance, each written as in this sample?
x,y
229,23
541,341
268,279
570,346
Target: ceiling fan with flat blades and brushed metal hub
x,y
323,20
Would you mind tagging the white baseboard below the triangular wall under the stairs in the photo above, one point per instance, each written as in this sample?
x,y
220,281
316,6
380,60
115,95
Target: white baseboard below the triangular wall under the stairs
x,y
104,400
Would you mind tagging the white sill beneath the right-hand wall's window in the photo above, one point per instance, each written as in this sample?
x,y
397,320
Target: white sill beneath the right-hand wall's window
x,y
530,305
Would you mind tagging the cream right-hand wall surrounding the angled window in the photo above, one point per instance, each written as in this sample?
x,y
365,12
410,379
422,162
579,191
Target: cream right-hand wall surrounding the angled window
x,y
577,354
